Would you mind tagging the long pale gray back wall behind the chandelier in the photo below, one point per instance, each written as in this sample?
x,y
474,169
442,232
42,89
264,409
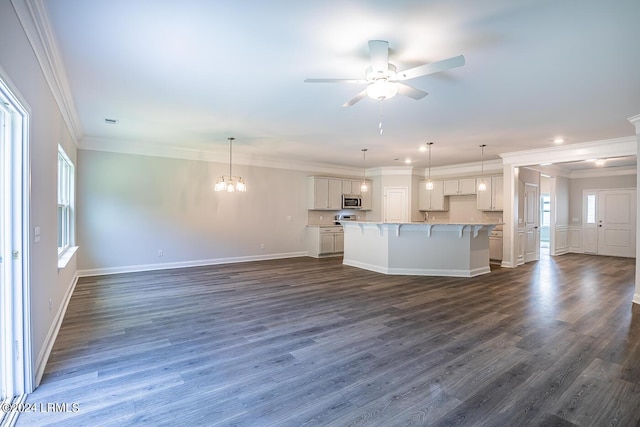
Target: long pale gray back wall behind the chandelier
x,y
131,206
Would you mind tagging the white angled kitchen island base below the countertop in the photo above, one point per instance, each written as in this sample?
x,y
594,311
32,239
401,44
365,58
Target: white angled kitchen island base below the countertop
x,y
460,250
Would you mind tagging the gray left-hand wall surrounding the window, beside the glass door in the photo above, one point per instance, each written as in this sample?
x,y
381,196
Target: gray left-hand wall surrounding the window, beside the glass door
x,y
47,129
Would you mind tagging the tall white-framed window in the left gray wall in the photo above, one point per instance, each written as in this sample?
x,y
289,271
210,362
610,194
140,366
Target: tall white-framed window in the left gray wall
x,y
65,201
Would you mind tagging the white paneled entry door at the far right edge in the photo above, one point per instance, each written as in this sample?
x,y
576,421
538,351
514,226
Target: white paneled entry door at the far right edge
x,y
617,223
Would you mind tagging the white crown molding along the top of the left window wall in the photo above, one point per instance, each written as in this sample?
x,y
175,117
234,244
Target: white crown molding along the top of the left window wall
x,y
34,19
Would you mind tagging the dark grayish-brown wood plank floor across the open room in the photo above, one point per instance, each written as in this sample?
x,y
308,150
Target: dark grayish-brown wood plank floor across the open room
x,y
304,341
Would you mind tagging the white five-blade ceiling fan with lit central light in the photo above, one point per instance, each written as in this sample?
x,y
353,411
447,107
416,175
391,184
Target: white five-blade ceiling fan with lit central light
x,y
384,81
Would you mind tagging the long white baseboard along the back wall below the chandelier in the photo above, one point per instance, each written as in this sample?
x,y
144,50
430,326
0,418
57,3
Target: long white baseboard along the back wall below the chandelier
x,y
183,264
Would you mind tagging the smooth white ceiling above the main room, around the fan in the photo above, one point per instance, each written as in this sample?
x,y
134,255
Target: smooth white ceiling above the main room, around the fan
x,y
191,73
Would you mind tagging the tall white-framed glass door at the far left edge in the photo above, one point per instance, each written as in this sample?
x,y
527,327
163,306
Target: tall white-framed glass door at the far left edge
x,y
16,370
